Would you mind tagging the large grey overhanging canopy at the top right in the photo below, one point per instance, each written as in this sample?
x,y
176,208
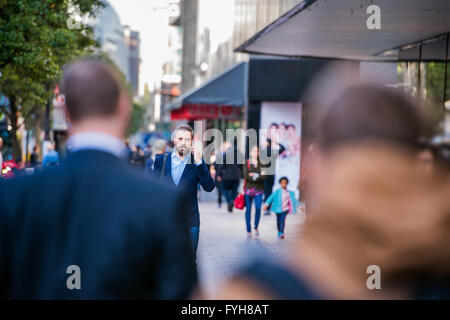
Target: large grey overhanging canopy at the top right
x,y
338,29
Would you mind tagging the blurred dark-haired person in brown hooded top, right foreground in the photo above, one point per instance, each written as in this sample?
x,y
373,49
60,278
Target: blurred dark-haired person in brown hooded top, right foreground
x,y
372,200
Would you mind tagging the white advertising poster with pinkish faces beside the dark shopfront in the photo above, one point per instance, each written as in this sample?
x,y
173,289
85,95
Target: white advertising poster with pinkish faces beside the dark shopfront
x,y
282,122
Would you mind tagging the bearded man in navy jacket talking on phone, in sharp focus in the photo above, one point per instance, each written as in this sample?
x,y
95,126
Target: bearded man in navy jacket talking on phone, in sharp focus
x,y
185,169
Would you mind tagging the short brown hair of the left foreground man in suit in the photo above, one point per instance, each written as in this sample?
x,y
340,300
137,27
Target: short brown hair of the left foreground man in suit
x,y
92,88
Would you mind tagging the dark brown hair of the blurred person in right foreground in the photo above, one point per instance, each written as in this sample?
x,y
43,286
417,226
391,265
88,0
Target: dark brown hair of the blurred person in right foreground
x,y
365,113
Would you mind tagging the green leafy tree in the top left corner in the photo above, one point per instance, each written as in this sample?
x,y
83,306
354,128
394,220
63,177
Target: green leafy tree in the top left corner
x,y
35,42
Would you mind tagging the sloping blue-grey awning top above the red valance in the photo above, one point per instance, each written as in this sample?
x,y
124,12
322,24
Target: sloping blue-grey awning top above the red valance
x,y
227,89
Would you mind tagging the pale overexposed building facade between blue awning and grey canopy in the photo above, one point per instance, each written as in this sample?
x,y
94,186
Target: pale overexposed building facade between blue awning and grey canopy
x,y
224,25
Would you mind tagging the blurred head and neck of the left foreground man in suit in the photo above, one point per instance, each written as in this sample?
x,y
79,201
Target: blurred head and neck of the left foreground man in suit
x,y
95,98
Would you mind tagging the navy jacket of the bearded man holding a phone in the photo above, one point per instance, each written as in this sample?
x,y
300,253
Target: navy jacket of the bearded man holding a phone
x,y
191,177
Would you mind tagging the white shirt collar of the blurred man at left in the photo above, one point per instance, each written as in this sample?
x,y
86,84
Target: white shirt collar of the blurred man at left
x,y
97,141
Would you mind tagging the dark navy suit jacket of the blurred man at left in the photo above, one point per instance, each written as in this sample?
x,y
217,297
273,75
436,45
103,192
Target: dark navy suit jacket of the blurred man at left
x,y
122,229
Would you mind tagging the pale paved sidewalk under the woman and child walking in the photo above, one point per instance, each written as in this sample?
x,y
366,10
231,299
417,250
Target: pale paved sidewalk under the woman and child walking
x,y
223,244
